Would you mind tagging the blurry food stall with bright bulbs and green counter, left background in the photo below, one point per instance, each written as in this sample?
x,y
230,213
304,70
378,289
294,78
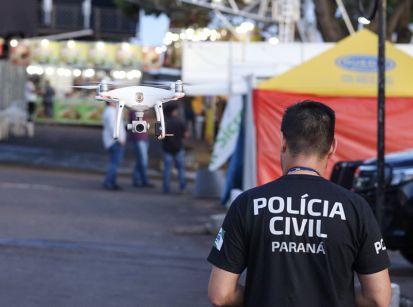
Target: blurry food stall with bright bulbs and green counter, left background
x,y
68,63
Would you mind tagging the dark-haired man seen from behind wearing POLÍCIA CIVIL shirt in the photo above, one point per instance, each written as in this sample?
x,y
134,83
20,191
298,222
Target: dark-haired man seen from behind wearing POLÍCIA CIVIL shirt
x,y
301,237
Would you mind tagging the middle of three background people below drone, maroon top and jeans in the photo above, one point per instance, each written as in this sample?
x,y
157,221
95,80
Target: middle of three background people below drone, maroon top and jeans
x,y
140,143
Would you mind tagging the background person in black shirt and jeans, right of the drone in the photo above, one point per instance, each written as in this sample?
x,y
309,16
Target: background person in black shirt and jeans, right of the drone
x,y
173,151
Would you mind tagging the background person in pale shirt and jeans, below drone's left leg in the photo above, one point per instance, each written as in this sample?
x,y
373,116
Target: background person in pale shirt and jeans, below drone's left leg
x,y
113,147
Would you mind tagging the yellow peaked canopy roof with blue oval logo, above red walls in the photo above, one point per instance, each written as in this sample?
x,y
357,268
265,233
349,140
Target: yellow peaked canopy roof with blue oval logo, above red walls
x,y
349,69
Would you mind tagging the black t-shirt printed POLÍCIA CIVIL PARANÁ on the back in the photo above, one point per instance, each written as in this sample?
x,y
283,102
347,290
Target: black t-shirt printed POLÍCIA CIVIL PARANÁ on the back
x,y
300,237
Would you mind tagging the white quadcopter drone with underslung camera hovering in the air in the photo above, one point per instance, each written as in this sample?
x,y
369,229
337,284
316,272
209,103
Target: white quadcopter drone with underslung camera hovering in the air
x,y
139,99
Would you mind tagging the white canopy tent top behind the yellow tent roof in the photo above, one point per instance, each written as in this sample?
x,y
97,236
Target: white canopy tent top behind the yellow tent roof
x,y
222,68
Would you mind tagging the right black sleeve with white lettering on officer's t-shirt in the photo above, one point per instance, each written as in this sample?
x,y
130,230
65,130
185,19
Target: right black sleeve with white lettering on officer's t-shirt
x,y
372,255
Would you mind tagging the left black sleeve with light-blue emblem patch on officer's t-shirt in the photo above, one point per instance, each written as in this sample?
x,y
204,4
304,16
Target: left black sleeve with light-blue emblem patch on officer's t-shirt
x,y
229,248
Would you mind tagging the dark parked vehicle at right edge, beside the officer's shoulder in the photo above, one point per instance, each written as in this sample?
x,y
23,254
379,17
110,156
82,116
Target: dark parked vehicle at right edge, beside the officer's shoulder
x,y
397,224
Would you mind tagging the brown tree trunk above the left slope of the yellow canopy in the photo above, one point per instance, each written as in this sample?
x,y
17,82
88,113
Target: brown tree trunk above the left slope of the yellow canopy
x,y
328,24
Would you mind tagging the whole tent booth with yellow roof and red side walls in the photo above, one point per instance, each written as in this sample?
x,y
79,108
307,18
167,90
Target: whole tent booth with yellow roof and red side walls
x,y
345,78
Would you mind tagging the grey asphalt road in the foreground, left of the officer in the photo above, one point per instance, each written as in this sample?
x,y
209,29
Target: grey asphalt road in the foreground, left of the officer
x,y
66,242
